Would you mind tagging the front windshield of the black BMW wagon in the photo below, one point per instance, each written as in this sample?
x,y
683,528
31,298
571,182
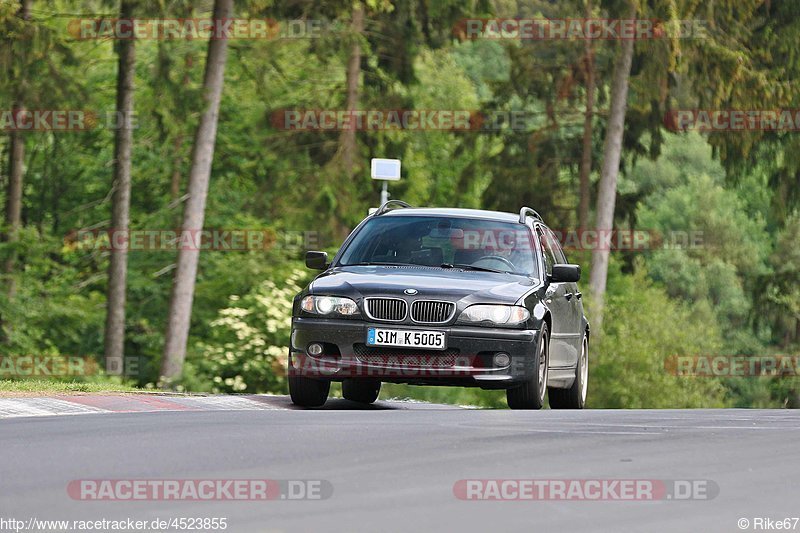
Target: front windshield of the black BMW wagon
x,y
443,242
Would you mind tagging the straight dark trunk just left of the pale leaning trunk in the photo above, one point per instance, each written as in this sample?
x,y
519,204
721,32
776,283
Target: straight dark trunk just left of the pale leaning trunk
x,y
121,200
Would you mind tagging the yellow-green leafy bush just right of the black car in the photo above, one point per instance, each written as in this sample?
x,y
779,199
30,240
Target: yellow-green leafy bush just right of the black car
x,y
643,328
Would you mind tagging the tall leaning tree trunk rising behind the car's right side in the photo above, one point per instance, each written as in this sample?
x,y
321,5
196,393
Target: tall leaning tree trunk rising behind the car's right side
x,y
607,191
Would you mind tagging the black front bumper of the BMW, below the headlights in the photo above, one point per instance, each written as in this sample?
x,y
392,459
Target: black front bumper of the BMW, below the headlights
x,y
467,361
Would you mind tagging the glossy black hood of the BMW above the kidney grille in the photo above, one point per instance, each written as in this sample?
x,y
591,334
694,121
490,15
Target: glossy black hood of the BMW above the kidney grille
x,y
438,283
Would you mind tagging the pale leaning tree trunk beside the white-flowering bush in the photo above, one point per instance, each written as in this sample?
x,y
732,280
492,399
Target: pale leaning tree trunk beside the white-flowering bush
x,y
180,306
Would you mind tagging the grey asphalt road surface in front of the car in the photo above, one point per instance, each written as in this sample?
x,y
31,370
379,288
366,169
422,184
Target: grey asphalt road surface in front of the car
x,y
394,468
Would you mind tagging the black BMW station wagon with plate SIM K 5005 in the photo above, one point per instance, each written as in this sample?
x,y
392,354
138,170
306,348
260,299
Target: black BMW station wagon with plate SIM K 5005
x,y
443,297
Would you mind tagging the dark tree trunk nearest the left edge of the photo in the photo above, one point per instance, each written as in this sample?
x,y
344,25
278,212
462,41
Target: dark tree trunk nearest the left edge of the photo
x,y
16,163
